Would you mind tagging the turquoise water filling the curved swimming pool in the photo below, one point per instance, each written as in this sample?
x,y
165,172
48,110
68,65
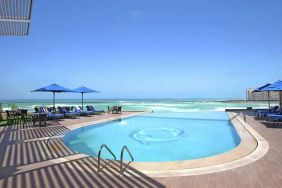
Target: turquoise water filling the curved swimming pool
x,y
158,137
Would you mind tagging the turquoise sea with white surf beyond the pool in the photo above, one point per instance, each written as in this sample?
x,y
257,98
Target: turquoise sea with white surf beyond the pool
x,y
157,105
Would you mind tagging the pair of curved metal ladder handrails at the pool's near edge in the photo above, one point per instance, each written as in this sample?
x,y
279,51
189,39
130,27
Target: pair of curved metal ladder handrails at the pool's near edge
x,y
122,167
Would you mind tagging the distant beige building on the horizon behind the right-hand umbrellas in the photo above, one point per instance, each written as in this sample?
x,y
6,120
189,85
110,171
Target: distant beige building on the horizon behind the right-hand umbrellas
x,y
260,96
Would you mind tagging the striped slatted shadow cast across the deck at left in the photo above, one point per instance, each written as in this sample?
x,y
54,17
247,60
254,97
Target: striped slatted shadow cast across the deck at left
x,y
26,161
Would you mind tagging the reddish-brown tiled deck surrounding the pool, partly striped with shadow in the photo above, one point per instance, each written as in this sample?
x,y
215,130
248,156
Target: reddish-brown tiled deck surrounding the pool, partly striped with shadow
x,y
25,161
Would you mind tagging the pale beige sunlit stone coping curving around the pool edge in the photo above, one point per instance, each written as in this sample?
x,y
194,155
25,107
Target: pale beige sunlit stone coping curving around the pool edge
x,y
251,148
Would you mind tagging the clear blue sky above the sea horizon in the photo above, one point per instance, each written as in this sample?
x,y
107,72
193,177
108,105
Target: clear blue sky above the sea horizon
x,y
145,49
